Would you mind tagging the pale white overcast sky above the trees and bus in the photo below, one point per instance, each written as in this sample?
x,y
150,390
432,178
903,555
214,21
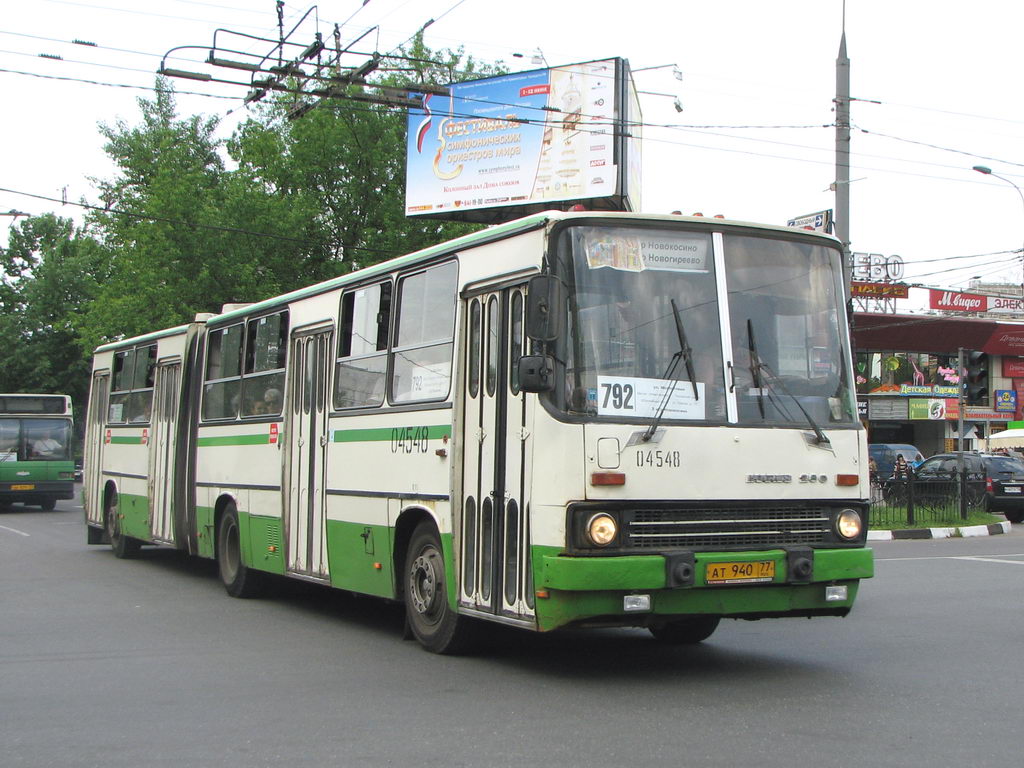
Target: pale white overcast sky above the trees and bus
x,y
937,89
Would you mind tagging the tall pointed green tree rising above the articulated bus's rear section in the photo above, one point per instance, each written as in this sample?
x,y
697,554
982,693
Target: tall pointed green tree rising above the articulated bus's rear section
x,y
163,224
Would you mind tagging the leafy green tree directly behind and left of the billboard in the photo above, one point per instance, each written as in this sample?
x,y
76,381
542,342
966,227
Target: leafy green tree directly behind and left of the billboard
x,y
340,168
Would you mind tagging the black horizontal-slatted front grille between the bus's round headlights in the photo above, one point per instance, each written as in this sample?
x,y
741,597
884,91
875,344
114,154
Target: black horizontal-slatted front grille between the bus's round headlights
x,y
717,528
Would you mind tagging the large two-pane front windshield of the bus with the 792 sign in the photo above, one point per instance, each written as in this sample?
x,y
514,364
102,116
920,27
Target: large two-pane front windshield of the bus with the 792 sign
x,y
681,326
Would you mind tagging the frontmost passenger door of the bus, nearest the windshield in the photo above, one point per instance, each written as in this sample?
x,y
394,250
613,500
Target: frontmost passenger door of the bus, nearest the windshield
x,y
494,530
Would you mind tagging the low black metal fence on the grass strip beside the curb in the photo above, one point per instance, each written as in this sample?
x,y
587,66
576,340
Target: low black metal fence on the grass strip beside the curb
x,y
912,501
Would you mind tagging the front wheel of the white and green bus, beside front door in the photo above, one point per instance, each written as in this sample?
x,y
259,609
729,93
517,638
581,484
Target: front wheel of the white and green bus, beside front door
x,y
434,623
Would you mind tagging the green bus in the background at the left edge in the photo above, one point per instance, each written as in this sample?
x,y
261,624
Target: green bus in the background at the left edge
x,y
36,464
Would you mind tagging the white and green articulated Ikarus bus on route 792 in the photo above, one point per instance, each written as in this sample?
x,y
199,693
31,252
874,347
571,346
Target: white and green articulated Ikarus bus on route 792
x,y
570,420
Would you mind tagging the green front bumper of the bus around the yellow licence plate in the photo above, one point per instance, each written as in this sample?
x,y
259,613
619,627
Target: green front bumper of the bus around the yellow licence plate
x,y
638,590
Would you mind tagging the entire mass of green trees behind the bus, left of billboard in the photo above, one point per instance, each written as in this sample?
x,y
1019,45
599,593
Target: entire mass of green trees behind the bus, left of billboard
x,y
182,234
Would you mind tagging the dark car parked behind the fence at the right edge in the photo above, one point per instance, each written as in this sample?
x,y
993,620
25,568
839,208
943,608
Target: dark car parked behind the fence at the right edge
x,y
996,482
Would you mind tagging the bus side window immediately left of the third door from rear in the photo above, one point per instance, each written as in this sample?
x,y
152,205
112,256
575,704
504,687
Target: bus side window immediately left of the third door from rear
x,y
267,352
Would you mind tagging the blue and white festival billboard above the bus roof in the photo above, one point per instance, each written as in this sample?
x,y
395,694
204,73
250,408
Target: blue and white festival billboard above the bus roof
x,y
505,147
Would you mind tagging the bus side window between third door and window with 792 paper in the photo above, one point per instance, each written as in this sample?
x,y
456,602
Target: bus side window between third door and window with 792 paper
x,y
362,365
